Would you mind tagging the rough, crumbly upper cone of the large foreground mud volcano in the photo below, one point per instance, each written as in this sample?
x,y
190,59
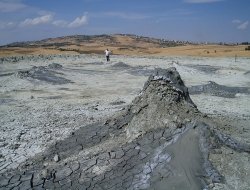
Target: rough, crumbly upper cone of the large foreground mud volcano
x,y
163,103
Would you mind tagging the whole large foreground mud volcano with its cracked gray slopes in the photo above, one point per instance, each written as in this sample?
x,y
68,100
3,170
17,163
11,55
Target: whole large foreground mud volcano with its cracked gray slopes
x,y
141,147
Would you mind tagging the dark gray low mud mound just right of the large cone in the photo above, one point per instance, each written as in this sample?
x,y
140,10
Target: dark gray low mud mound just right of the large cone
x,y
218,90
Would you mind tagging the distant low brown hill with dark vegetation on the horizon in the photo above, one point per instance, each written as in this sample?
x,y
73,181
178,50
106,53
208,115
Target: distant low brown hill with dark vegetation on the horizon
x,y
117,40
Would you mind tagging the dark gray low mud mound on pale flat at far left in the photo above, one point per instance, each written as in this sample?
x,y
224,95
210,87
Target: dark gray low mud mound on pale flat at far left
x,y
45,74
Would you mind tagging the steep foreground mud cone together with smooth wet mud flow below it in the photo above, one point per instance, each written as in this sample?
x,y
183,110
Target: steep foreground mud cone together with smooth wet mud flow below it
x,y
163,121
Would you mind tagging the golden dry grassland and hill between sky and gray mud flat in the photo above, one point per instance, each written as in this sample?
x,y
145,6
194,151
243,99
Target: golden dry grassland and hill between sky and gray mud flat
x,y
121,45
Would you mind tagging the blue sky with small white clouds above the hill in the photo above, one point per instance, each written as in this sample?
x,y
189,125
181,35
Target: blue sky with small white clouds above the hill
x,y
191,20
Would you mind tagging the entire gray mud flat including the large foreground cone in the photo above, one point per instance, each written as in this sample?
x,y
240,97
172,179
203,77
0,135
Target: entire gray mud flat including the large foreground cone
x,y
73,121
